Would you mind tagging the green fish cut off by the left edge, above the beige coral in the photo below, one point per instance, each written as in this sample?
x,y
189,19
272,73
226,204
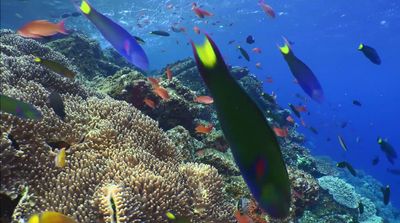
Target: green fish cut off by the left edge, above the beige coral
x,y
19,108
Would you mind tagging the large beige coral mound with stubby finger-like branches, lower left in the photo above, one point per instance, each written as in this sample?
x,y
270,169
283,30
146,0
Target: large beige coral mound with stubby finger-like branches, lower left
x,y
120,166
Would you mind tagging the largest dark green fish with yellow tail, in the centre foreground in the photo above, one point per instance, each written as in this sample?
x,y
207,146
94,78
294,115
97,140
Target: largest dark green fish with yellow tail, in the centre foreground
x,y
252,141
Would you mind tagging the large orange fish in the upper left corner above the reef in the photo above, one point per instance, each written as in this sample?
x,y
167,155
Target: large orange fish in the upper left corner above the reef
x,y
41,28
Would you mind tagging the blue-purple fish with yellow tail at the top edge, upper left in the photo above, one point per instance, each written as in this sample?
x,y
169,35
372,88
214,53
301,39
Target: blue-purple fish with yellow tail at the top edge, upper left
x,y
120,39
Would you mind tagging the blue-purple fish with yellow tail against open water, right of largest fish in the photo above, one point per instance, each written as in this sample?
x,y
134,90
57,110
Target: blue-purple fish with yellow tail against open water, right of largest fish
x,y
303,74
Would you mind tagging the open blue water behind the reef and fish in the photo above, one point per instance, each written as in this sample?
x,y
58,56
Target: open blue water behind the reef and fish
x,y
326,35
